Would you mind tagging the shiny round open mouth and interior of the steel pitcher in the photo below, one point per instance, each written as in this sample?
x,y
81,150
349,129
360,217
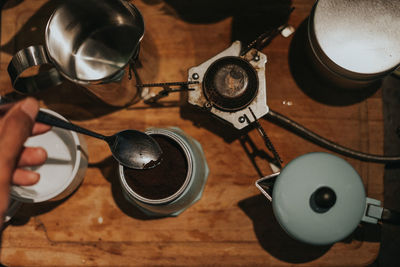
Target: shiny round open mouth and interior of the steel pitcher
x,y
93,40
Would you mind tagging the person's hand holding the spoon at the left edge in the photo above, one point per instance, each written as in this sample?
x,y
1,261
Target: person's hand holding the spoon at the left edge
x,y
17,123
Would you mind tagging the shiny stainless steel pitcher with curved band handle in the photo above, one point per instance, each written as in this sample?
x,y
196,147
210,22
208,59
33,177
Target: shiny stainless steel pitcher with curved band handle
x,y
91,43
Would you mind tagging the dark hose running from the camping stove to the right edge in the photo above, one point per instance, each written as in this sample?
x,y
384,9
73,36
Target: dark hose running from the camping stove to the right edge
x,y
300,130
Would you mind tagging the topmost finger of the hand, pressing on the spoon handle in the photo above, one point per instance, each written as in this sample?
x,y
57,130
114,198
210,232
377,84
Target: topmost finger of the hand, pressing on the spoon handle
x,y
15,128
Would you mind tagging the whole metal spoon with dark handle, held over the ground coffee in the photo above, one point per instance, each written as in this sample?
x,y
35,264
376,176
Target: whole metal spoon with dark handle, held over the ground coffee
x,y
131,148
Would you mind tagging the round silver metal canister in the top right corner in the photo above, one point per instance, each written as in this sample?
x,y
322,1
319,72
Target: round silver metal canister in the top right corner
x,y
358,39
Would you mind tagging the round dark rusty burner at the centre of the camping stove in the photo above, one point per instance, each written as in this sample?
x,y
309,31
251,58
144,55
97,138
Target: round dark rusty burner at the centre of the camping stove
x,y
230,83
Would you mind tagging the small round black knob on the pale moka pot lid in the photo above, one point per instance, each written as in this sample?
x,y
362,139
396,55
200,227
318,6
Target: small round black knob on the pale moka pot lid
x,y
322,199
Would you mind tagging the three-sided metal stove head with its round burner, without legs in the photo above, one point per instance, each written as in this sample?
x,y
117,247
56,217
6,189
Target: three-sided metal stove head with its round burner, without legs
x,y
231,85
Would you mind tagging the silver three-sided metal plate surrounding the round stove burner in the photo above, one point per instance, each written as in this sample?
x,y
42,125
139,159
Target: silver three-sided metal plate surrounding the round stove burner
x,y
258,104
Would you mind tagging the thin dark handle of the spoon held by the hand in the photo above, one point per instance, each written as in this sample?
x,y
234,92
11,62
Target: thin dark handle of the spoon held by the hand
x,y
51,120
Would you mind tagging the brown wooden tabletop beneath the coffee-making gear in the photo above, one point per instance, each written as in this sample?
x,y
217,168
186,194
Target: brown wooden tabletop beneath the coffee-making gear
x,y
232,224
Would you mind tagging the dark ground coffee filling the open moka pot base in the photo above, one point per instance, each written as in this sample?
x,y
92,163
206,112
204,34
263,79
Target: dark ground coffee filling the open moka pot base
x,y
163,180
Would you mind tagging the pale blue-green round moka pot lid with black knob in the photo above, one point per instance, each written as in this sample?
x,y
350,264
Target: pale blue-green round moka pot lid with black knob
x,y
318,198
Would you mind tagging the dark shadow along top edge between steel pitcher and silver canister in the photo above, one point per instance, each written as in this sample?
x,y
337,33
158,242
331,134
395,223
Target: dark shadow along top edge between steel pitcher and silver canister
x,y
250,17
